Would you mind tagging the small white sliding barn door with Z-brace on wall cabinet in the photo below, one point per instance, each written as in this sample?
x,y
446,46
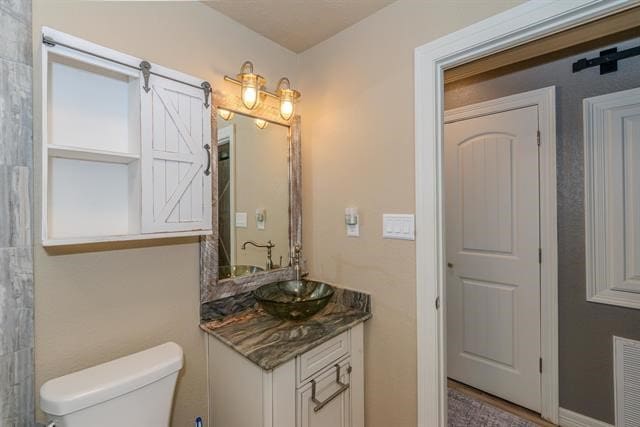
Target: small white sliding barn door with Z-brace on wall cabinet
x,y
176,162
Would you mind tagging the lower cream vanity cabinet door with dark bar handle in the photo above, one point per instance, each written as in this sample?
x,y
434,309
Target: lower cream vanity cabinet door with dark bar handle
x,y
337,411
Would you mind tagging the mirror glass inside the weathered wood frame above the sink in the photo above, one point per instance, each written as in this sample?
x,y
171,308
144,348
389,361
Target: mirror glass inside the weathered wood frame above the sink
x,y
253,196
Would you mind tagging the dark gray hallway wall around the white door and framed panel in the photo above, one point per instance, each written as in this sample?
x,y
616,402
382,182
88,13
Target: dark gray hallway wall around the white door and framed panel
x,y
586,329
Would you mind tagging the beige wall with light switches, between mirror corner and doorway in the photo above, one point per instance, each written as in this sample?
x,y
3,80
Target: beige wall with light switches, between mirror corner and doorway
x,y
358,150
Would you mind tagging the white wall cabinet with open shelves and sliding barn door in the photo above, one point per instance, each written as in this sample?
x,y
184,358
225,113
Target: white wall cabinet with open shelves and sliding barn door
x,y
125,146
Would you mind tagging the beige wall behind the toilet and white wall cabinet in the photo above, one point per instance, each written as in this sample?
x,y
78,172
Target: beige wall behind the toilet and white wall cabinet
x,y
95,306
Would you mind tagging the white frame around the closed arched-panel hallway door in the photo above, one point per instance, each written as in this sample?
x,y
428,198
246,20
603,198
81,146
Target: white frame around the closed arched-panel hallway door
x,y
545,100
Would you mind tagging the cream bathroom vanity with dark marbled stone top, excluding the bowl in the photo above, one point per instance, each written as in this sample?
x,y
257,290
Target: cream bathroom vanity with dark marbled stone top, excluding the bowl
x,y
273,373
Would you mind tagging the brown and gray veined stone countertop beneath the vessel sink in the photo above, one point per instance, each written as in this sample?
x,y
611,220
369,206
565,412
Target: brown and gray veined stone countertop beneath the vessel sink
x,y
267,341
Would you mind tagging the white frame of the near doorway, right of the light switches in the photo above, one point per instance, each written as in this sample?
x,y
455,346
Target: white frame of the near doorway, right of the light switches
x,y
527,22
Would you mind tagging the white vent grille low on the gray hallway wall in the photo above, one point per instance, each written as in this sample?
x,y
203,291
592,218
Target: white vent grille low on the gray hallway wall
x,y
626,365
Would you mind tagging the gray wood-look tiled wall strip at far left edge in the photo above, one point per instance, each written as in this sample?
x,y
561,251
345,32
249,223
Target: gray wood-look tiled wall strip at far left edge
x,y
16,261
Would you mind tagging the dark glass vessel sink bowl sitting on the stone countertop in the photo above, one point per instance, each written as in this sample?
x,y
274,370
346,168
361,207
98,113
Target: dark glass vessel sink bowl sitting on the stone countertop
x,y
293,299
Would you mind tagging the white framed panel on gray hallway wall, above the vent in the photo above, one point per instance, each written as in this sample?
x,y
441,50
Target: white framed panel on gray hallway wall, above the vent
x,y
612,220
